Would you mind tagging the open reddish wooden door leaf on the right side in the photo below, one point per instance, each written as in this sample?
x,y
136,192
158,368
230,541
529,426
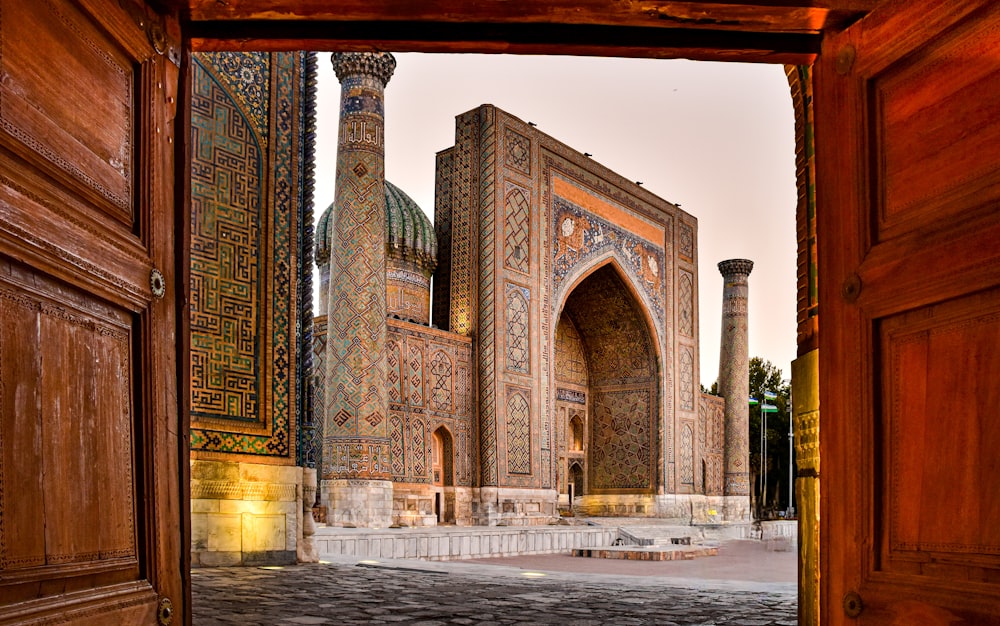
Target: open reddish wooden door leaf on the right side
x,y
908,188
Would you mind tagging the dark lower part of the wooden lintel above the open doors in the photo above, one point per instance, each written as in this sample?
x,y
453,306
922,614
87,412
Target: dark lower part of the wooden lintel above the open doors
x,y
592,39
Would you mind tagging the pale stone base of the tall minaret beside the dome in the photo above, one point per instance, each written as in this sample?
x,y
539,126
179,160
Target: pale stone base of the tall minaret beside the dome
x,y
360,503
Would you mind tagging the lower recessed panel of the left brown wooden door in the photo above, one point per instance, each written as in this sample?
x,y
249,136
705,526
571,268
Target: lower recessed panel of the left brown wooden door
x,y
68,478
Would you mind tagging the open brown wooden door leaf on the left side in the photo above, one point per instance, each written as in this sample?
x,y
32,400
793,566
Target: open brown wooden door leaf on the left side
x,y
90,515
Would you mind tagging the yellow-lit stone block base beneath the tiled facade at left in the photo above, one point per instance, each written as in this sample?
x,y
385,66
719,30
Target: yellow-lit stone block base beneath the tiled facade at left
x,y
250,514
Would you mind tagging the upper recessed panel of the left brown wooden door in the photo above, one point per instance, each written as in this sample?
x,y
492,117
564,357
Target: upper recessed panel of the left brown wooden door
x,y
67,94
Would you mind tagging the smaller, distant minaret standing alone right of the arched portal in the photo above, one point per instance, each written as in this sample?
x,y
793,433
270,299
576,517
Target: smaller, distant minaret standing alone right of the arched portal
x,y
734,386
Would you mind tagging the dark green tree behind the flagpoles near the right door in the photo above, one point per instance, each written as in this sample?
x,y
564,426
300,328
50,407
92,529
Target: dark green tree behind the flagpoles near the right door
x,y
772,497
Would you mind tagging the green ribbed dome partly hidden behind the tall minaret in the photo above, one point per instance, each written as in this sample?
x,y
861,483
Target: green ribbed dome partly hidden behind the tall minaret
x,y
409,234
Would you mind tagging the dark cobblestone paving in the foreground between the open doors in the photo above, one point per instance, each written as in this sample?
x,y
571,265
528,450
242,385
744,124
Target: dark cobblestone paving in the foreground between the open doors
x,y
358,594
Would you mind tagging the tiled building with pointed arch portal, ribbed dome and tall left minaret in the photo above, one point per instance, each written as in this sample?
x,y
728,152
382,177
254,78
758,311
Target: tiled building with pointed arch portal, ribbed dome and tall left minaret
x,y
559,367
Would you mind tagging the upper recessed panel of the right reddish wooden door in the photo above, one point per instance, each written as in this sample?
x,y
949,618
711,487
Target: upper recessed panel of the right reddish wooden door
x,y
926,171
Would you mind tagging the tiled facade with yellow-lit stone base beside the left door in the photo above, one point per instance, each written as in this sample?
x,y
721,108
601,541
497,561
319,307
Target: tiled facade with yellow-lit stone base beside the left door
x,y
249,292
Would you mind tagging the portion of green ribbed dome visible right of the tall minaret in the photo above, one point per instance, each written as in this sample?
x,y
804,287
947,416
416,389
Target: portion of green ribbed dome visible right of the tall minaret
x,y
409,234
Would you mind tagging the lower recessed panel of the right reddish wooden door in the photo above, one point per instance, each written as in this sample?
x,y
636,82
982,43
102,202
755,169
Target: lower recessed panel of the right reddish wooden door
x,y
939,459
